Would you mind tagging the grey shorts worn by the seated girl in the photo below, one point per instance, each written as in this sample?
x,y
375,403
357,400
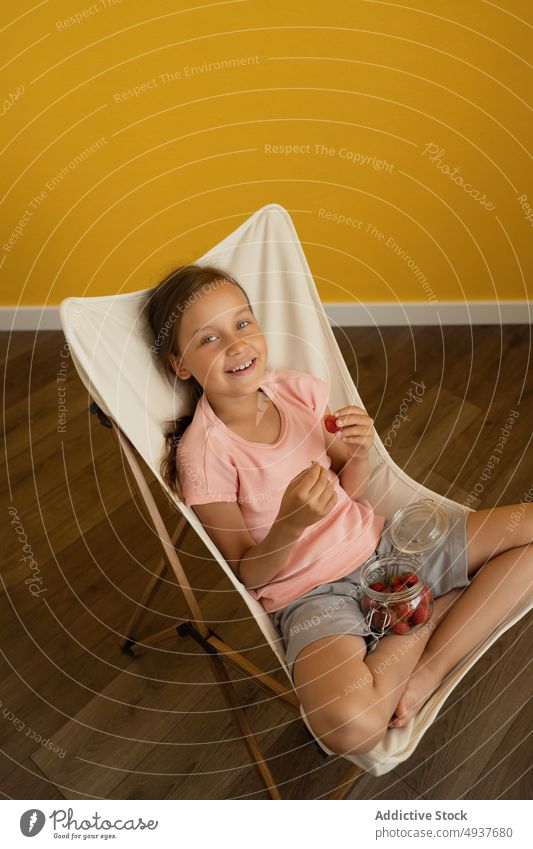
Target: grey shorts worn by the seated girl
x,y
333,608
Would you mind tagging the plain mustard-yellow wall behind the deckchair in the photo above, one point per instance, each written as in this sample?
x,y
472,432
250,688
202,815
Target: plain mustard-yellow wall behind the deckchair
x,y
361,87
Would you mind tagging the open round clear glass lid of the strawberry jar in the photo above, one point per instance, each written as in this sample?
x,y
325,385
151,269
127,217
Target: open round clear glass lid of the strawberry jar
x,y
419,527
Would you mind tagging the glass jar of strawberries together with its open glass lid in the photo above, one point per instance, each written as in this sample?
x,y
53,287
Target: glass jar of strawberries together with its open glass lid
x,y
395,596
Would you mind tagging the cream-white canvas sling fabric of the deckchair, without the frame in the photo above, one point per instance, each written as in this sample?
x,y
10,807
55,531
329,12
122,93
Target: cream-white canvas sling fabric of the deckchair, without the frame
x,y
110,347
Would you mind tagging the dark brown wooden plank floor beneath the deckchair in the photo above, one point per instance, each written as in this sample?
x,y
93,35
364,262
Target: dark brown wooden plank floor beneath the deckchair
x,y
156,727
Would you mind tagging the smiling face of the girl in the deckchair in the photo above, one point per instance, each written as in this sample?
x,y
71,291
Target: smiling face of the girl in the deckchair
x,y
217,332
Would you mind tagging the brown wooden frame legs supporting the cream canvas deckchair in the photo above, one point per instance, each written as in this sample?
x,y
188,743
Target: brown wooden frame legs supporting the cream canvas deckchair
x,y
217,650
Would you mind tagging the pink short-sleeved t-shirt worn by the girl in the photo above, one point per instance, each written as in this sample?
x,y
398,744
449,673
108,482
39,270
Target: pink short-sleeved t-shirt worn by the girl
x,y
216,464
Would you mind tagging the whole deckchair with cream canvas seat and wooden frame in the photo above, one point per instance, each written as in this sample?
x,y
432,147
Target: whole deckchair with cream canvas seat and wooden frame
x,y
109,344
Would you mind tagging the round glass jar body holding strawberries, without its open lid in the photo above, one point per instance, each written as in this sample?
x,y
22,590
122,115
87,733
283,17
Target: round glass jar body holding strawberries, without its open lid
x,y
395,597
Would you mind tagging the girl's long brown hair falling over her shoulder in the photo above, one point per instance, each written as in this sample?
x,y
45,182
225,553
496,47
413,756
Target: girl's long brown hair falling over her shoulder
x,y
163,309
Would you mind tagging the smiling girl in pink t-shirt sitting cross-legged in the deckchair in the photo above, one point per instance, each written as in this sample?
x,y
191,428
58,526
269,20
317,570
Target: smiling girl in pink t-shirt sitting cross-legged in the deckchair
x,y
281,498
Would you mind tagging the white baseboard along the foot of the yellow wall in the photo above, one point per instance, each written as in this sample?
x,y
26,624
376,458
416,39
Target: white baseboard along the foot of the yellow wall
x,y
340,315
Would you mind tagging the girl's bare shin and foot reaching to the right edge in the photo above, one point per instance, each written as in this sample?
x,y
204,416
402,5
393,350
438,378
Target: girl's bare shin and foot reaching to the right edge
x,y
501,587
